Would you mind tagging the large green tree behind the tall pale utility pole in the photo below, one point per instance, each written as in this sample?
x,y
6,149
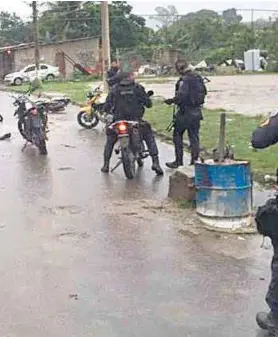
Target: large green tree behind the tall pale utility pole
x,y
75,19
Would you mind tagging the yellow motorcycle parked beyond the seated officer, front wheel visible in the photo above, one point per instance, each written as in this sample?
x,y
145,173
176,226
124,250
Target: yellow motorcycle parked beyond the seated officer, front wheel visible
x,y
90,114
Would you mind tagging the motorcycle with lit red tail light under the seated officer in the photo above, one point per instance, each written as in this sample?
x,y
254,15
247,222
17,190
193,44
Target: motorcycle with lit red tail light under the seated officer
x,y
131,147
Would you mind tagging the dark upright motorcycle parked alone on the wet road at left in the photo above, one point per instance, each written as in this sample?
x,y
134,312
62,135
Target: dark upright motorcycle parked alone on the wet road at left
x,y
32,122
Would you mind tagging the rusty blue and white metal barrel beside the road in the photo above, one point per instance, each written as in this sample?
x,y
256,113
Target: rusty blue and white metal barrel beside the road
x,y
224,194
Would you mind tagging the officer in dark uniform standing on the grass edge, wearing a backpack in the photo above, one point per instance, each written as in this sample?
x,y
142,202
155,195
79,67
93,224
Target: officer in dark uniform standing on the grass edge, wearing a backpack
x,y
190,92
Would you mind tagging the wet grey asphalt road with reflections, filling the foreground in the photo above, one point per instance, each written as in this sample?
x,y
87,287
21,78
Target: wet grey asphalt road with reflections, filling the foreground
x,y
73,266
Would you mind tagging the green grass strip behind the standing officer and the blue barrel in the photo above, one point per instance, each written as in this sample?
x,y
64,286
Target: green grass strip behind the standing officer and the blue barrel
x,y
238,133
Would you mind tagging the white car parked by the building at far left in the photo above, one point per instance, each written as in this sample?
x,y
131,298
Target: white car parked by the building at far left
x,y
28,74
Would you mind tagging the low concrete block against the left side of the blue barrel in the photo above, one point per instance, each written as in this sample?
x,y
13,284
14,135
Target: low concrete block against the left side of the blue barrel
x,y
181,184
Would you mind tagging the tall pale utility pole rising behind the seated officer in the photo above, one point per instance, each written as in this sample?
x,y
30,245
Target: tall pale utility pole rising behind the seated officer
x,y
105,41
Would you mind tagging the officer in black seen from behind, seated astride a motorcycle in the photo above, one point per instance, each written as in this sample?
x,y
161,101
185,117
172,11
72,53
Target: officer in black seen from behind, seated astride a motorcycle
x,y
127,100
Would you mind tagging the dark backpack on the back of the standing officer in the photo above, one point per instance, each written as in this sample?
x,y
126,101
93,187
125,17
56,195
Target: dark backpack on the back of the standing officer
x,y
197,90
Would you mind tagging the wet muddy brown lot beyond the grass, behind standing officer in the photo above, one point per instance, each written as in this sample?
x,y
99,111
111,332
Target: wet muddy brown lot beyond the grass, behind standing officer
x,y
247,94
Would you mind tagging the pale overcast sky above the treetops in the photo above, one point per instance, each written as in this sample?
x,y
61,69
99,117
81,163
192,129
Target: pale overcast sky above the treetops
x,y
183,7
